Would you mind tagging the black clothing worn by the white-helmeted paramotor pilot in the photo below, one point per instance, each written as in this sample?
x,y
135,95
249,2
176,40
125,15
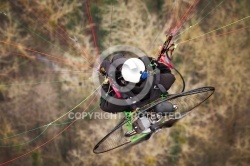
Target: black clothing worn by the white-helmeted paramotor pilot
x,y
162,81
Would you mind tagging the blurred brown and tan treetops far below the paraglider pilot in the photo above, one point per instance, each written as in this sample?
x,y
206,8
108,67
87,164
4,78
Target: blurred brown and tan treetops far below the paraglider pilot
x,y
48,50
